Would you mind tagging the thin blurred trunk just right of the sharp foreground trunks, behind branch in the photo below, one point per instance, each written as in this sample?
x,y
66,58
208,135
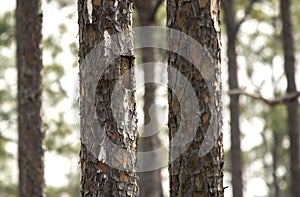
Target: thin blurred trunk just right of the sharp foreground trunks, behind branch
x,y
236,161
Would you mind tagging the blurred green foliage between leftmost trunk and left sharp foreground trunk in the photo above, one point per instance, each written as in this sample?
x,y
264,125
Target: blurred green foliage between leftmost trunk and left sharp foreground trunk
x,y
59,131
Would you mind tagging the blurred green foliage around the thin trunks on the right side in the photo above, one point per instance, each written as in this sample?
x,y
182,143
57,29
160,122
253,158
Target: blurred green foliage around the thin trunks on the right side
x,y
259,48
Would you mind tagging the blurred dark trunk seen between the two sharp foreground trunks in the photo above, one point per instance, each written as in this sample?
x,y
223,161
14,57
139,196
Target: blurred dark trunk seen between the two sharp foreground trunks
x,y
150,183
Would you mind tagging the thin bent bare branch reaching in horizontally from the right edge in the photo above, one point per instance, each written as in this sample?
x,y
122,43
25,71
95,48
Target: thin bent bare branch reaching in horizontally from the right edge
x,y
279,100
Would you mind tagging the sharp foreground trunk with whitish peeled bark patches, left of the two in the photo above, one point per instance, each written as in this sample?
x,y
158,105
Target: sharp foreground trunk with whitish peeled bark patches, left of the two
x,y
107,102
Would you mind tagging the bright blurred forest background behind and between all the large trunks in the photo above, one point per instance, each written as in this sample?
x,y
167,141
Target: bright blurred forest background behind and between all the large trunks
x,y
252,40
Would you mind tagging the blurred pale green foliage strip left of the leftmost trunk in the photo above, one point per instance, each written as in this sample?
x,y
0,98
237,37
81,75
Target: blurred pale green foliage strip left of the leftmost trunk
x,y
7,104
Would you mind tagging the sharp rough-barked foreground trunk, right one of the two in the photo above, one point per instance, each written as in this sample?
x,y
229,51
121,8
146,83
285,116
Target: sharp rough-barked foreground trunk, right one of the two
x,y
192,174
